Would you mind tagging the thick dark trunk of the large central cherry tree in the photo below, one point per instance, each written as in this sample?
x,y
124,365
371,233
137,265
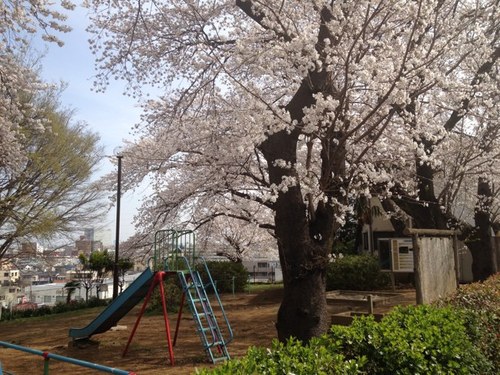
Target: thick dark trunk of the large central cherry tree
x,y
304,245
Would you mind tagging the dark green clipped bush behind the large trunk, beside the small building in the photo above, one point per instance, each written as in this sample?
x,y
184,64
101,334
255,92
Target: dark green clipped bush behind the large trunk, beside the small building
x,y
356,272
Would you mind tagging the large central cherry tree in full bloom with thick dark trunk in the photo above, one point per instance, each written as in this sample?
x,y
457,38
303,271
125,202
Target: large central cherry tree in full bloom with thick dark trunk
x,y
298,107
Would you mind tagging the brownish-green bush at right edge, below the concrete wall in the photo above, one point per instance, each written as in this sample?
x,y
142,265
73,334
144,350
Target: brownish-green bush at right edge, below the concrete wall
x,y
479,304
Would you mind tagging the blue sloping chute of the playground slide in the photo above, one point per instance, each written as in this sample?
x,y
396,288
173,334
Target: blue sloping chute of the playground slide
x,y
130,297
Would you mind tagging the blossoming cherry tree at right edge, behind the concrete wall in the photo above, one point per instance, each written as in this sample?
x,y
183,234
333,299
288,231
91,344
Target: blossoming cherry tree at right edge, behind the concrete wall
x,y
455,164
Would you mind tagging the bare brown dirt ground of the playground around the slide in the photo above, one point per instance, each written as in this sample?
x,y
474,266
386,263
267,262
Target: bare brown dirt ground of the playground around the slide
x,y
252,318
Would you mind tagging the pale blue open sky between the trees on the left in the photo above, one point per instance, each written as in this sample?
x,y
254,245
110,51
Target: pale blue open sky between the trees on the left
x,y
110,114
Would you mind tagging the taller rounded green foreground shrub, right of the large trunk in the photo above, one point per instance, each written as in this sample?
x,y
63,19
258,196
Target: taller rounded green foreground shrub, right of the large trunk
x,y
413,340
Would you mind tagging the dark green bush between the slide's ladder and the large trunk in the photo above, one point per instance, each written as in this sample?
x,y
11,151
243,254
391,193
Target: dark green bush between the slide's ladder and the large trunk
x,y
223,274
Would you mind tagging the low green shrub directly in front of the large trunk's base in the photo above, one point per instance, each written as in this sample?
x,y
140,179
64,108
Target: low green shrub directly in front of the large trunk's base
x,y
318,357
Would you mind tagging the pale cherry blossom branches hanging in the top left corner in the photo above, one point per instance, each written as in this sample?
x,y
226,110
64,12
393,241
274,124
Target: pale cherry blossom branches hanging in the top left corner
x,y
19,21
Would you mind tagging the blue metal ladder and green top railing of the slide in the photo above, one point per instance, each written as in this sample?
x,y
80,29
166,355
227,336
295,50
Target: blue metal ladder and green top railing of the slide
x,y
175,253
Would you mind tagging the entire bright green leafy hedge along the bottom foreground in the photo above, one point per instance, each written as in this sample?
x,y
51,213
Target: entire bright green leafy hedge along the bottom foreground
x,y
409,340
